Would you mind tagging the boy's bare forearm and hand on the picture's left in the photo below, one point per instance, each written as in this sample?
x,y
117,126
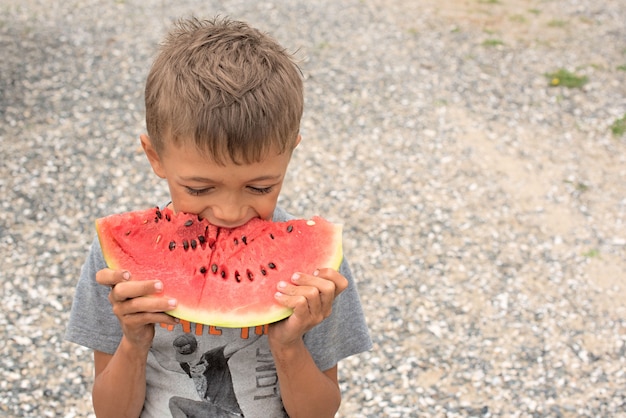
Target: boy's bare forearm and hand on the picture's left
x,y
120,379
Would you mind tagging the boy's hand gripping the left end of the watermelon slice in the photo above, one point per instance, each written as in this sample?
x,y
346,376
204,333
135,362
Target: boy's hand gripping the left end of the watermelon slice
x,y
137,314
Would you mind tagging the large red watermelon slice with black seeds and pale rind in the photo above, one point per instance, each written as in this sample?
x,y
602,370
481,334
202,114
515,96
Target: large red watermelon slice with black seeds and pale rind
x,y
219,276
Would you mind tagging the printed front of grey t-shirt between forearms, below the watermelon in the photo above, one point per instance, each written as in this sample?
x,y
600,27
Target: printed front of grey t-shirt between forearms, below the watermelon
x,y
223,372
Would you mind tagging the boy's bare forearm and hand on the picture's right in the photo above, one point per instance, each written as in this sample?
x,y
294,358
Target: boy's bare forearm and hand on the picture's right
x,y
306,390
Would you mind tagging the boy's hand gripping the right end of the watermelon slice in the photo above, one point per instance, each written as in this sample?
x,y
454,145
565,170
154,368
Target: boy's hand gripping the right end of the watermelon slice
x,y
311,297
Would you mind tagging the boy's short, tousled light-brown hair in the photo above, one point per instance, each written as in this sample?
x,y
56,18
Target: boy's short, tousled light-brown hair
x,y
226,88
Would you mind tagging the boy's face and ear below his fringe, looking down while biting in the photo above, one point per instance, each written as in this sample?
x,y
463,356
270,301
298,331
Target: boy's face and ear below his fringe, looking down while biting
x,y
226,196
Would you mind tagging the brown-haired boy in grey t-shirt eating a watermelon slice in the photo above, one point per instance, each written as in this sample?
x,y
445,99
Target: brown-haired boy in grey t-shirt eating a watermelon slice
x,y
223,109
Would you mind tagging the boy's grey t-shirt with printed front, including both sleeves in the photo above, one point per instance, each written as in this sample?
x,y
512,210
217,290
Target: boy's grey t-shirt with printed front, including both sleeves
x,y
197,370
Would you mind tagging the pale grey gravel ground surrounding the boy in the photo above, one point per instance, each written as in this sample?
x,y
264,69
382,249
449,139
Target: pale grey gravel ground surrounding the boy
x,y
484,210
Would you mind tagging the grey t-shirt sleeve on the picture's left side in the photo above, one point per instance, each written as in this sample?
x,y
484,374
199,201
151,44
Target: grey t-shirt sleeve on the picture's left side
x,y
92,323
